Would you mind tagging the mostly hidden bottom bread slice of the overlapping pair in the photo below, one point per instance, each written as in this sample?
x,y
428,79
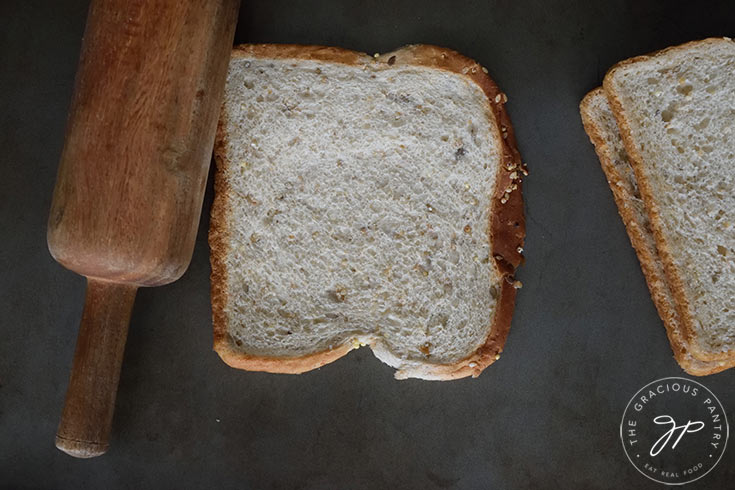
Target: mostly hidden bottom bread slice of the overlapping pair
x,y
599,123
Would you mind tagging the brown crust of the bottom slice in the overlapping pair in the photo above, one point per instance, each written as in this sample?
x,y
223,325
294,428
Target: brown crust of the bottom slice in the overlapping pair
x,y
647,256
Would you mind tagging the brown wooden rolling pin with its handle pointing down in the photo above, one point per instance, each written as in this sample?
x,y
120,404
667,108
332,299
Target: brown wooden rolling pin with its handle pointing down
x,y
131,180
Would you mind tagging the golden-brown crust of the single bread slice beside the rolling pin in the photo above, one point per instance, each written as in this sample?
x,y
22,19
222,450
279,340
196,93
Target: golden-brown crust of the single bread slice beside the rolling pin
x,y
507,227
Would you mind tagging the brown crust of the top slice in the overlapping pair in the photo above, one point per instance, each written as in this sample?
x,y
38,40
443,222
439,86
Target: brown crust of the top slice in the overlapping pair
x,y
673,275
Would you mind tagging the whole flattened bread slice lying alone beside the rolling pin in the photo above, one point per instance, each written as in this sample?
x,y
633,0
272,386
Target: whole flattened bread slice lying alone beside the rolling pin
x,y
364,201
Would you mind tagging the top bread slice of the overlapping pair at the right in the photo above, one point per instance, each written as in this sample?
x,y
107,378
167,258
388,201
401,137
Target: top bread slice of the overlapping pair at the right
x,y
675,111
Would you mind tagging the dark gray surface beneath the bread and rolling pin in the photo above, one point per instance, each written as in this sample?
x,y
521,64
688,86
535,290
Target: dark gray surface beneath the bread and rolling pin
x,y
585,336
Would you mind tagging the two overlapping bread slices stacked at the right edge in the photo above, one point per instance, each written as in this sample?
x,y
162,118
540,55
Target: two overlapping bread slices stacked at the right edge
x,y
663,127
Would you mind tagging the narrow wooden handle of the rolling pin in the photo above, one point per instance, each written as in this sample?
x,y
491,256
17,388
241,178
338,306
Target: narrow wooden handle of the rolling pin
x,y
84,431
